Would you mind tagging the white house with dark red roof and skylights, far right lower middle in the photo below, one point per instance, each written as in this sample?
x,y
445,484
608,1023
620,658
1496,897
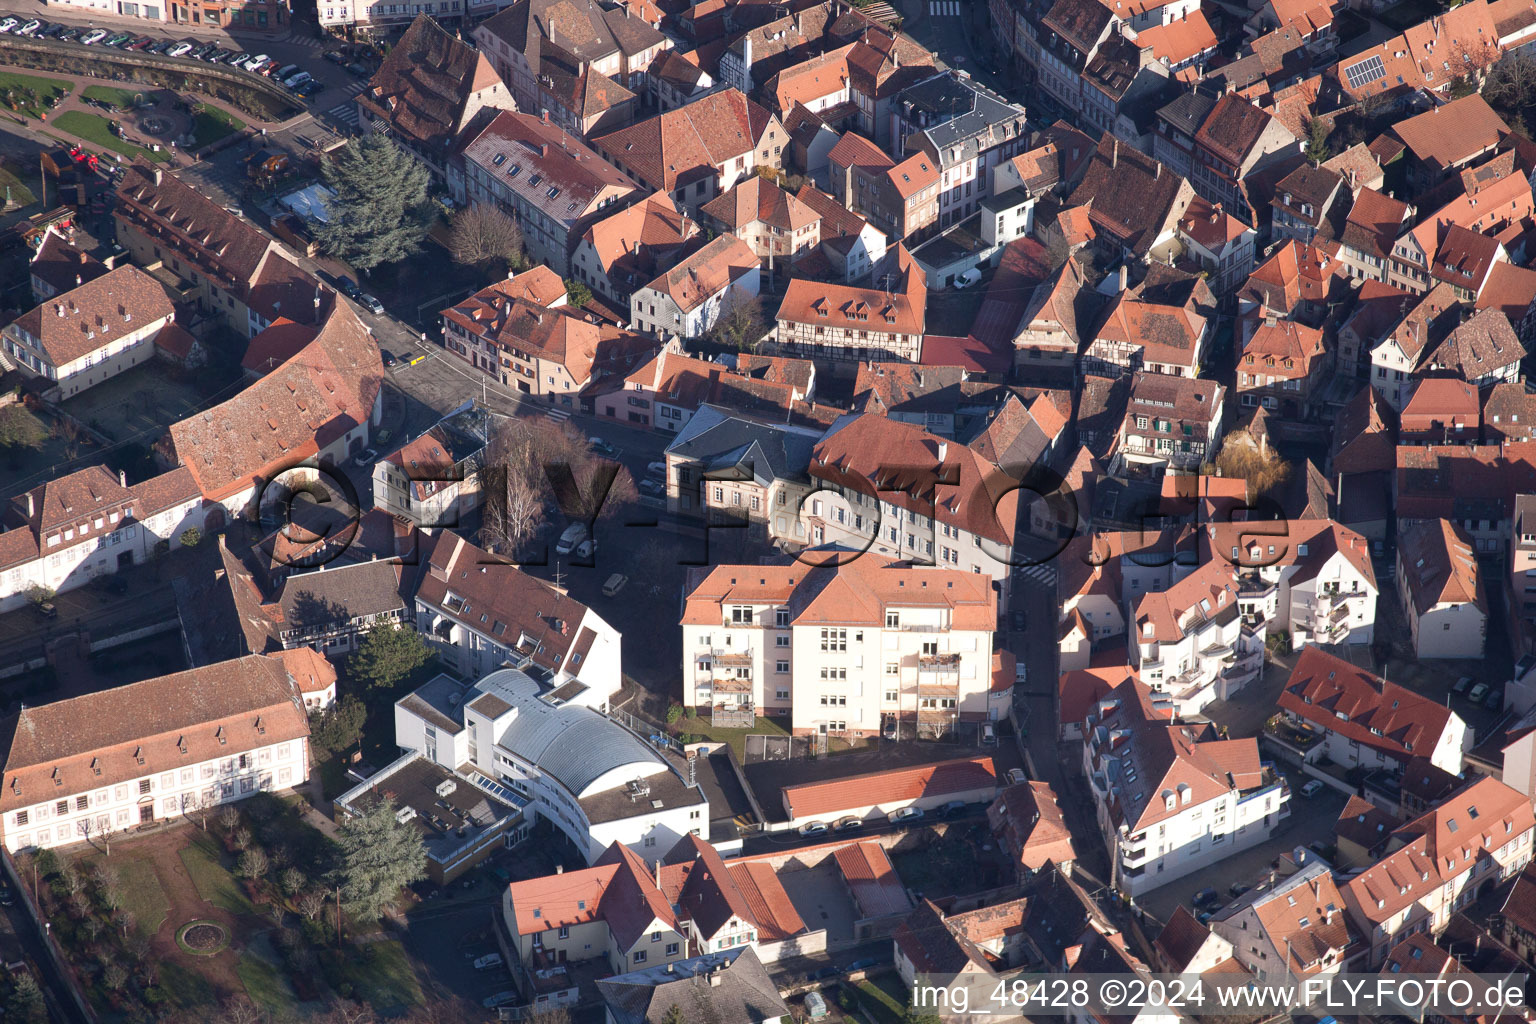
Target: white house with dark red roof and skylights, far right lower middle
x,y
1368,722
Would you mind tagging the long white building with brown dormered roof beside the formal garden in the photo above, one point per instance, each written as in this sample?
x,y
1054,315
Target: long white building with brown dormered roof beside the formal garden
x,y
151,753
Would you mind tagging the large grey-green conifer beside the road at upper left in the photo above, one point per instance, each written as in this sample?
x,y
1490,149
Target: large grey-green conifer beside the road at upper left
x,y
380,213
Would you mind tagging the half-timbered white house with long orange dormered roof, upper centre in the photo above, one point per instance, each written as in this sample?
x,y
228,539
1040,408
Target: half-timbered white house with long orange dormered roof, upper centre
x,y
841,322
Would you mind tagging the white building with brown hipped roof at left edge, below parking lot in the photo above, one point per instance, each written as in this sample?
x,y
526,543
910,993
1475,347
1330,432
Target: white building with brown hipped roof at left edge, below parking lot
x,y
90,334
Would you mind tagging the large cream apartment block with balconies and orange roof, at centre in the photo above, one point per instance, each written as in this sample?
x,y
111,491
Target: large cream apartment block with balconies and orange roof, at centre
x,y
841,650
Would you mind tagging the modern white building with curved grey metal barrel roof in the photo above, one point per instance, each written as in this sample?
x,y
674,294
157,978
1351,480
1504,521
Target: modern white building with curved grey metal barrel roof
x,y
594,779
